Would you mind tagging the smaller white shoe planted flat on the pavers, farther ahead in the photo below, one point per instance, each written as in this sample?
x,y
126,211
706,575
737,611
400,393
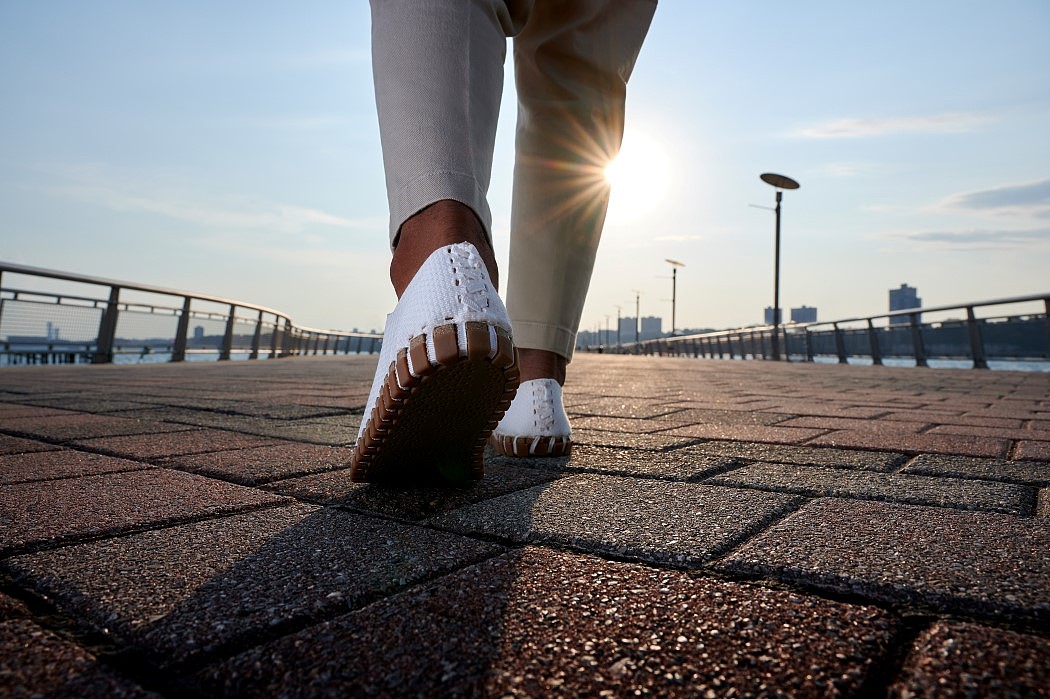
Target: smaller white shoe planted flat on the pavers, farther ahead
x,y
536,425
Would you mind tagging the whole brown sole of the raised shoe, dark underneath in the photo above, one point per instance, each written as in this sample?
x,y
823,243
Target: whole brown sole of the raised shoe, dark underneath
x,y
432,420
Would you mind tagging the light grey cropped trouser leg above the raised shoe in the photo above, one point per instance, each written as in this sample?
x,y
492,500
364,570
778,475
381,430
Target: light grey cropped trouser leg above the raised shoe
x,y
438,72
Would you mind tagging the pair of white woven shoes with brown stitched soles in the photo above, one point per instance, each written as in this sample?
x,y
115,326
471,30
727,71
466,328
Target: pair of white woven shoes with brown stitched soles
x,y
448,382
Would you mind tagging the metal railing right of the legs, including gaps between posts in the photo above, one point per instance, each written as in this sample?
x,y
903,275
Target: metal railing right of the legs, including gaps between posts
x,y
902,335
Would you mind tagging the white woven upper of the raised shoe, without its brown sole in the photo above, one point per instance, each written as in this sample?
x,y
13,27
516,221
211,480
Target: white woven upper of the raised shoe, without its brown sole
x,y
452,287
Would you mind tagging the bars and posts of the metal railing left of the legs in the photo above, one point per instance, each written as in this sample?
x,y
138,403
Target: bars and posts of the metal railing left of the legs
x,y
285,337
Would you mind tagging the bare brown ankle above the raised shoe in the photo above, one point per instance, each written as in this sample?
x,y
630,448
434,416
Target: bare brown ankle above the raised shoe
x,y
442,224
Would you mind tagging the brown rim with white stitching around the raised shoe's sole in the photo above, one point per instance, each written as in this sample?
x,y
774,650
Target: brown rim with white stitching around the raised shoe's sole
x,y
485,344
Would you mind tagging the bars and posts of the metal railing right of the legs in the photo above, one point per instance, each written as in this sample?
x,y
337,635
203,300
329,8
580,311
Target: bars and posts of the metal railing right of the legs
x,y
751,342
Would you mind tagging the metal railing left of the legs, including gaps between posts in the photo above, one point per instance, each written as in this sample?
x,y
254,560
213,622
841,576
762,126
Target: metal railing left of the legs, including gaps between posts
x,y
97,321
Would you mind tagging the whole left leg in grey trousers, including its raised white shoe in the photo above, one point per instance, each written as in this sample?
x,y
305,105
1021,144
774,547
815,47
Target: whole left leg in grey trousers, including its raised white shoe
x,y
447,371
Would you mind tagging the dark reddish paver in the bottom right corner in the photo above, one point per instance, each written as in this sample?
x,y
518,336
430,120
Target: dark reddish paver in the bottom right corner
x,y
970,661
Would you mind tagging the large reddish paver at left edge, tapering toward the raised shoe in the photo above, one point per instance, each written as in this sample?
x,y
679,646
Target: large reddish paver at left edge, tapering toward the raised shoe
x,y
33,514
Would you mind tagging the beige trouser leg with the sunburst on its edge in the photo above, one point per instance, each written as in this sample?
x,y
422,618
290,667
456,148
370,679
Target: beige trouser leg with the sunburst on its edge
x,y
573,61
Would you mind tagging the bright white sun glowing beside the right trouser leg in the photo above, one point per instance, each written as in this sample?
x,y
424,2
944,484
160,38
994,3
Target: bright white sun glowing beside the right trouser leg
x,y
639,178
